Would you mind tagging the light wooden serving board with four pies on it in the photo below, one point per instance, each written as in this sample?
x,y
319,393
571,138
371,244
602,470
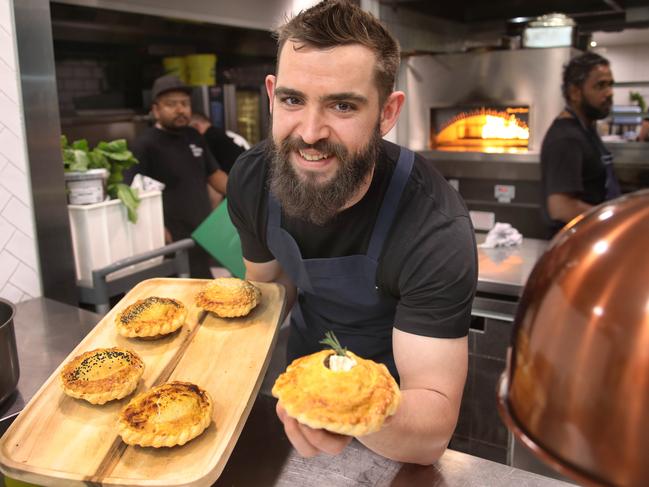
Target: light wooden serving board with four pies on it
x,y
59,440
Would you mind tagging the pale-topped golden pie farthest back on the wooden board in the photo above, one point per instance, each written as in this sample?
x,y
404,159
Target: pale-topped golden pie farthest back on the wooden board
x,y
228,297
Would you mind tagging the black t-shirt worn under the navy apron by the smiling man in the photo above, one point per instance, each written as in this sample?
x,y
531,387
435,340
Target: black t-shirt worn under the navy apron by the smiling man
x,y
428,262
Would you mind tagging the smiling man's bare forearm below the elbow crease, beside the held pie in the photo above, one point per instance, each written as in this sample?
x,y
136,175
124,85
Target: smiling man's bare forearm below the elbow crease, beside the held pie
x,y
419,431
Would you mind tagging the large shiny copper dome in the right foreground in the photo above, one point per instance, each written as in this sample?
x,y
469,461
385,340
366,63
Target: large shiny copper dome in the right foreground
x,y
576,387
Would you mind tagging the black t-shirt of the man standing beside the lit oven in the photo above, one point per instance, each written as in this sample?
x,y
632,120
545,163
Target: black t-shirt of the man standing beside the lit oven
x,y
571,163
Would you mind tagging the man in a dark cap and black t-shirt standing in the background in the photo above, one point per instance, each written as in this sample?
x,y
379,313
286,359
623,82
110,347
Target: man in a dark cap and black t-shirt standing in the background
x,y
175,154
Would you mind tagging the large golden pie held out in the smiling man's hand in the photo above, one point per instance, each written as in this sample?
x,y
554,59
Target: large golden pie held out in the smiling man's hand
x,y
342,394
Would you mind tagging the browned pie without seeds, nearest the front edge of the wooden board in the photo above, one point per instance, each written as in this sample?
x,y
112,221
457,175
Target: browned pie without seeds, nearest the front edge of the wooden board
x,y
167,415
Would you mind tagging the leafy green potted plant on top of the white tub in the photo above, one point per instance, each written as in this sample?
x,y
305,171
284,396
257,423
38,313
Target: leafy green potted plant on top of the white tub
x,y
105,163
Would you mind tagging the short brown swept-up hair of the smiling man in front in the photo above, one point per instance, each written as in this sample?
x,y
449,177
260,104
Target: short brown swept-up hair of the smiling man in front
x,y
333,23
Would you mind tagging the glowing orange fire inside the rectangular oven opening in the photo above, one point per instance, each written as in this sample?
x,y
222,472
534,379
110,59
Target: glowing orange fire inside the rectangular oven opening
x,y
481,128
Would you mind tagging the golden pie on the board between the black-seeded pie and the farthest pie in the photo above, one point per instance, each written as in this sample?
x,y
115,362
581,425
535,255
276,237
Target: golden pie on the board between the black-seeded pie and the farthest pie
x,y
151,317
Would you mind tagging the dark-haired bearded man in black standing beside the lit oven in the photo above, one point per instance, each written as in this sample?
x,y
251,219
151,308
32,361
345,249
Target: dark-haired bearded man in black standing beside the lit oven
x,y
576,168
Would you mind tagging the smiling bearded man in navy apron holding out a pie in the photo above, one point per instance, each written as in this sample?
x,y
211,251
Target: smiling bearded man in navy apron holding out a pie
x,y
368,238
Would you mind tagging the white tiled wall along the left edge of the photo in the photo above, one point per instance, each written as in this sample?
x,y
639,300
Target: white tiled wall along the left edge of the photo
x,y
19,272
